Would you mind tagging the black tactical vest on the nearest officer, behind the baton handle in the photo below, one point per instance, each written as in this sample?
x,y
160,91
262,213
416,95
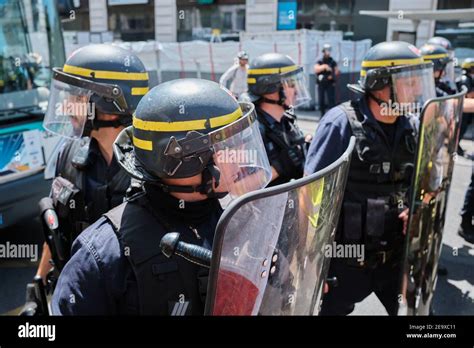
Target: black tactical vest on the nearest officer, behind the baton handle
x,y
165,286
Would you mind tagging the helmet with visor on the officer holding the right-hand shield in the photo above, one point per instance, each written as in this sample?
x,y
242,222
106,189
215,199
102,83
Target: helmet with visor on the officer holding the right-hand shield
x,y
400,66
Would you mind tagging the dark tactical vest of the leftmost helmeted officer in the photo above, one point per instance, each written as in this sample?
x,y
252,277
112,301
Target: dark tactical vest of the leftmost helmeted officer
x,y
68,191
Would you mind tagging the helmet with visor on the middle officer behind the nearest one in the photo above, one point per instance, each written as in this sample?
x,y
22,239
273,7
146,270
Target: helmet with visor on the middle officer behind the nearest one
x,y
275,72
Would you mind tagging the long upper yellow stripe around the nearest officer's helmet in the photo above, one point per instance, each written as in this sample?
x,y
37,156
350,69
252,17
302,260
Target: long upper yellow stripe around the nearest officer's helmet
x,y
183,126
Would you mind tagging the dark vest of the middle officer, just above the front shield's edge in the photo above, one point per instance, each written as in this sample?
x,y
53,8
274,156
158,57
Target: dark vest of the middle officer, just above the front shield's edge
x,y
286,145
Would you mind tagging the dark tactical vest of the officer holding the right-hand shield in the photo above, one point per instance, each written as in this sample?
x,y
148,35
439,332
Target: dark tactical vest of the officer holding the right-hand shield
x,y
378,183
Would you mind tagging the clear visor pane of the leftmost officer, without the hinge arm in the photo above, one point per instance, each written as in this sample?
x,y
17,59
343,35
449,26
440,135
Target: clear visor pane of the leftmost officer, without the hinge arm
x,y
68,110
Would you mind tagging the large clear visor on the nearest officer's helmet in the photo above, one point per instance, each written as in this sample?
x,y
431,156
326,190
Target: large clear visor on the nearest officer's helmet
x,y
240,155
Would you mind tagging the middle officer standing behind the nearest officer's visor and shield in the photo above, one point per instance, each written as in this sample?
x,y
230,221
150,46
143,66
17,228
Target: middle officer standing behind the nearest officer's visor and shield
x,y
276,86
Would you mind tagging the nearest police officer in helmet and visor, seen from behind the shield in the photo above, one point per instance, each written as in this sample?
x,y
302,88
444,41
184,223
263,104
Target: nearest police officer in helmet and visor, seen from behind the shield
x,y
190,143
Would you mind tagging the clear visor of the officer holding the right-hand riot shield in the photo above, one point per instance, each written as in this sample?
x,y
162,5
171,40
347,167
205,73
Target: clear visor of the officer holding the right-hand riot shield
x,y
412,86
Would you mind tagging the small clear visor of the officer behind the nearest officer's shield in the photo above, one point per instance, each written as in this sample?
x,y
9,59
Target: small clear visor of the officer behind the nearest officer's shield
x,y
295,88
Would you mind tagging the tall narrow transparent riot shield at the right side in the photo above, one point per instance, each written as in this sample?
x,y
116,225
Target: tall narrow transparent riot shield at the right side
x,y
437,143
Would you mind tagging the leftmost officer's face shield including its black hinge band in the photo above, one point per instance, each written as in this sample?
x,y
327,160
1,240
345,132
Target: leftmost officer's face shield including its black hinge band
x,y
70,104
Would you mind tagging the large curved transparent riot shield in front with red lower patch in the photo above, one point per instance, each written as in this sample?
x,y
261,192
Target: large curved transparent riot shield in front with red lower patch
x,y
268,253
